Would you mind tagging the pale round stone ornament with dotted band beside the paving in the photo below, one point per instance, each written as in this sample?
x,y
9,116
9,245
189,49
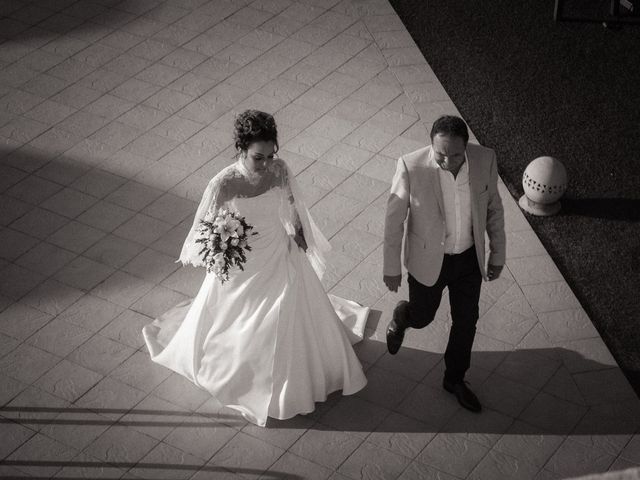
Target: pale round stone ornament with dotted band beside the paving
x,y
544,182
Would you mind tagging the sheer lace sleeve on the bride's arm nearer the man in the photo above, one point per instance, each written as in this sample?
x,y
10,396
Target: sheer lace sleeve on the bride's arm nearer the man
x,y
295,216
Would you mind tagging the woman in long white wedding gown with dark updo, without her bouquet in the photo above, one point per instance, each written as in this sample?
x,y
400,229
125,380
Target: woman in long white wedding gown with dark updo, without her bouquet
x,y
268,342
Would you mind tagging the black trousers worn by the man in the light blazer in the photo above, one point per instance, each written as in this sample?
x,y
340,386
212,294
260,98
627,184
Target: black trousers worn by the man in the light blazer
x,y
461,274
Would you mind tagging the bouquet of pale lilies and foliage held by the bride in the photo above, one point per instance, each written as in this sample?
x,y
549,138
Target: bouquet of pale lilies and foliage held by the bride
x,y
224,242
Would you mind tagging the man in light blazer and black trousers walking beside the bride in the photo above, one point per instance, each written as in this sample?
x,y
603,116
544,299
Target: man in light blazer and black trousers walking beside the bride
x,y
448,194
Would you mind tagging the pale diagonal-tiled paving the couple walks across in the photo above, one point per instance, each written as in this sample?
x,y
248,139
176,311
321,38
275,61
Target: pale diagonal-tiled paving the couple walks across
x,y
113,116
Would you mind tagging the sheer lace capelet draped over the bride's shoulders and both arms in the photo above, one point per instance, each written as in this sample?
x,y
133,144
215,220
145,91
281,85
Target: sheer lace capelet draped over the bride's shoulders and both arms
x,y
235,181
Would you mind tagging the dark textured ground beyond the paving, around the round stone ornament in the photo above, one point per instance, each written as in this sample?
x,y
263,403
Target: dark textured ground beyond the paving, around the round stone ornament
x,y
529,86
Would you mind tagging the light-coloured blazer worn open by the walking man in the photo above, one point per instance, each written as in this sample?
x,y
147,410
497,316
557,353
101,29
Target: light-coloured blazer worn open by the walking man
x,y
416,196
